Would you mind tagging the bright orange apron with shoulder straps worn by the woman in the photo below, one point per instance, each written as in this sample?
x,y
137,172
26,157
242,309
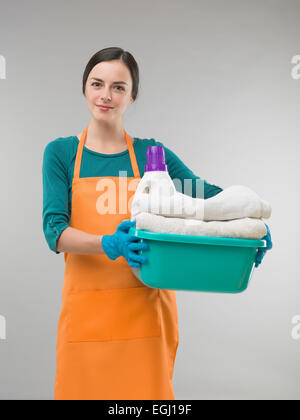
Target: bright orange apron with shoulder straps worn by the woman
x,y
116,337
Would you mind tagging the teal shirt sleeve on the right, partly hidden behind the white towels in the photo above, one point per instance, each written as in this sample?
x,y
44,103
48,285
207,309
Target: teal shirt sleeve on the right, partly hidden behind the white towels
x,y
185,180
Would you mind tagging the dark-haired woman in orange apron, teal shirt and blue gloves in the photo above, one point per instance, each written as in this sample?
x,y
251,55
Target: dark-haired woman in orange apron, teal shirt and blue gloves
x,y
117,338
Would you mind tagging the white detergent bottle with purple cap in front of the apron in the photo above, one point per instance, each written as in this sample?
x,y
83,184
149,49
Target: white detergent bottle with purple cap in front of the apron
x,y
156,182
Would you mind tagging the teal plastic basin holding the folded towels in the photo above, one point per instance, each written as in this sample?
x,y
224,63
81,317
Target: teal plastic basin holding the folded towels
x,y
196,263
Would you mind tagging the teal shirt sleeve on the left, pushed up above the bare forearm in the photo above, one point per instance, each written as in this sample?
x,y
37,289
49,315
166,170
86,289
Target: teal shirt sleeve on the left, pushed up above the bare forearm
x,y
55,193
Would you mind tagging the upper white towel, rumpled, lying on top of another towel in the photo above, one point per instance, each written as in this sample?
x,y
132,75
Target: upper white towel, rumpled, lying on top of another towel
x,y
235,202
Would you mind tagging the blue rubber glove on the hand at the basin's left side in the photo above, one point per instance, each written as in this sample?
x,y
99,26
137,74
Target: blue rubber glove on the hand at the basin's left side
x,y
121,243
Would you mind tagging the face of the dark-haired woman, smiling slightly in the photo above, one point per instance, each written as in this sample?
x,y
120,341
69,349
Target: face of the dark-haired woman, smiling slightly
x,y
107,92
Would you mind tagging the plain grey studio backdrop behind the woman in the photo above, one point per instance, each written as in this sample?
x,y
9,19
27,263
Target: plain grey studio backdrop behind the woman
x,y
220,86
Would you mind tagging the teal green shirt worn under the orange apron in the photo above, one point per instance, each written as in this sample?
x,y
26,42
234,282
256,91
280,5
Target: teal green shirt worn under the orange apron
x,y
58,168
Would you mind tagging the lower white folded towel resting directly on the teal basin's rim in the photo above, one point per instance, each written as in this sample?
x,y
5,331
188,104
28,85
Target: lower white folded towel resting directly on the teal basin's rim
x,y
248,228
